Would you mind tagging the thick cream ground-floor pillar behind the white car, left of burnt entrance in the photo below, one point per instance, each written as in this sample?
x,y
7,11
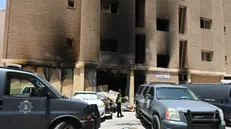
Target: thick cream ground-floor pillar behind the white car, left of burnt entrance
x,y
78,80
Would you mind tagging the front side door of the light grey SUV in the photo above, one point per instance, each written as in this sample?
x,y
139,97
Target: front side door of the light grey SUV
x,y
148,102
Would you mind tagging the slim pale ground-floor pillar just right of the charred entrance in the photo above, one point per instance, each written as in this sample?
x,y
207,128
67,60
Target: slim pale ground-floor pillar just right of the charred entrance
x,y
132,87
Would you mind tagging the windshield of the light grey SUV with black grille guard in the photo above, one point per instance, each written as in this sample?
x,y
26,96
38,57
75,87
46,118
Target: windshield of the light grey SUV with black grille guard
x,y
175,94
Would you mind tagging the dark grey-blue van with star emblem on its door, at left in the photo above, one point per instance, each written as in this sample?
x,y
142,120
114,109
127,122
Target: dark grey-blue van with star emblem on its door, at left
x,y
43,107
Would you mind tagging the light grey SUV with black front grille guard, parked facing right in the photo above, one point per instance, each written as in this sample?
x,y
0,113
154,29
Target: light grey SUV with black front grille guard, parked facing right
x,y
167,106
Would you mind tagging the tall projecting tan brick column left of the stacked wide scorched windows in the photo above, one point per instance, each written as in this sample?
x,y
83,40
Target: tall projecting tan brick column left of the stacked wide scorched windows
x,y
90,30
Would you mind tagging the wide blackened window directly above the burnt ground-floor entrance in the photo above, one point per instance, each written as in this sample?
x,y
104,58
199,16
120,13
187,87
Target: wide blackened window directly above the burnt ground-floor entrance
x,y
109,45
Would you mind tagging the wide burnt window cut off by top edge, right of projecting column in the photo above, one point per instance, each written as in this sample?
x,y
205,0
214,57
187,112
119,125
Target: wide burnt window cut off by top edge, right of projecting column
x,y
110,6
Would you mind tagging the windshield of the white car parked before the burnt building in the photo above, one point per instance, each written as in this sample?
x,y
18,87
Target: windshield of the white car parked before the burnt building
x,y
85,96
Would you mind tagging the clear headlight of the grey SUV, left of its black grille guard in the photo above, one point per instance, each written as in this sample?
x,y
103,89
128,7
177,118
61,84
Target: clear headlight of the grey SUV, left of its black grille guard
x,y
172,114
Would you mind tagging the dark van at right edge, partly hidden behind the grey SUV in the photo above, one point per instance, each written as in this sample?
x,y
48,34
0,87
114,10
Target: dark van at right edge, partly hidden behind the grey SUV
x,y
216,94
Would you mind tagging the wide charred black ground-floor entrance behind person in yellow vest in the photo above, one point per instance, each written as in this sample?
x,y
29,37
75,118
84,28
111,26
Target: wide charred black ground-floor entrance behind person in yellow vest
x,y
115,79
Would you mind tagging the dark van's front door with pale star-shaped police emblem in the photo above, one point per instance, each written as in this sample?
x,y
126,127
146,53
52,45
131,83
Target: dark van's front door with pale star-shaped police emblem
x,y
23,111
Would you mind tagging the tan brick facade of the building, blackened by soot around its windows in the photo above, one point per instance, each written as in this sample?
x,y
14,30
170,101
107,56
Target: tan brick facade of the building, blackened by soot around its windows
x,y
37,31
